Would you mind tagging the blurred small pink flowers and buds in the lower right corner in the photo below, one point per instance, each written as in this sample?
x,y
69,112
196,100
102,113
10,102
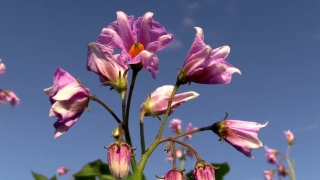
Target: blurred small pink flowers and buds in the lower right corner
x,y
271,156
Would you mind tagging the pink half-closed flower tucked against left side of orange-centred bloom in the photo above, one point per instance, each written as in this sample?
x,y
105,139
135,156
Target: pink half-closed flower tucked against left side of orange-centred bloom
x,y
111,68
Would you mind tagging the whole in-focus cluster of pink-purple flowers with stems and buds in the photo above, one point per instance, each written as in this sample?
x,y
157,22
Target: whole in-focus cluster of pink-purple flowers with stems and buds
x,y
138,41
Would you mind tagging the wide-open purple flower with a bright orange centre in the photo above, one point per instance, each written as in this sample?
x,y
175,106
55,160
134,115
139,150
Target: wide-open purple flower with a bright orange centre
x,y
138,40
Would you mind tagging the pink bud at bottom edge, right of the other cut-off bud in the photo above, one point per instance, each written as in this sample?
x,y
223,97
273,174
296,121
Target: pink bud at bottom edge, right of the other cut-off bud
x,y
203,171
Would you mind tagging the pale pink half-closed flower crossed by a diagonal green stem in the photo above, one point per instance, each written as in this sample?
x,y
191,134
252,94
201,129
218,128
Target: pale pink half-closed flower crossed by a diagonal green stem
x,y
156,103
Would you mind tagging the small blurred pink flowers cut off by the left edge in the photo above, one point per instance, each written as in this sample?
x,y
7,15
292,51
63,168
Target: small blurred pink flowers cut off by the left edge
x,y
7,95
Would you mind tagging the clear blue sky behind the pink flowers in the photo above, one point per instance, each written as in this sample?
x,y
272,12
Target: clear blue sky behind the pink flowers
x,y
275,44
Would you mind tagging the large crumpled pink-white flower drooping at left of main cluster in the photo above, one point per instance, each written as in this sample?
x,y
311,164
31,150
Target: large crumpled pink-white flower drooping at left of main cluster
x,y
68,99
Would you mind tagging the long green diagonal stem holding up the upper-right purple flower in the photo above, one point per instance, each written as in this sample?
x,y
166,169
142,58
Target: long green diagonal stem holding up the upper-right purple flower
x,y
155,143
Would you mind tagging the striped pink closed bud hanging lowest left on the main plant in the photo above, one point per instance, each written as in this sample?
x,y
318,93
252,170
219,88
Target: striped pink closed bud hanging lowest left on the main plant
x,y
119,154
